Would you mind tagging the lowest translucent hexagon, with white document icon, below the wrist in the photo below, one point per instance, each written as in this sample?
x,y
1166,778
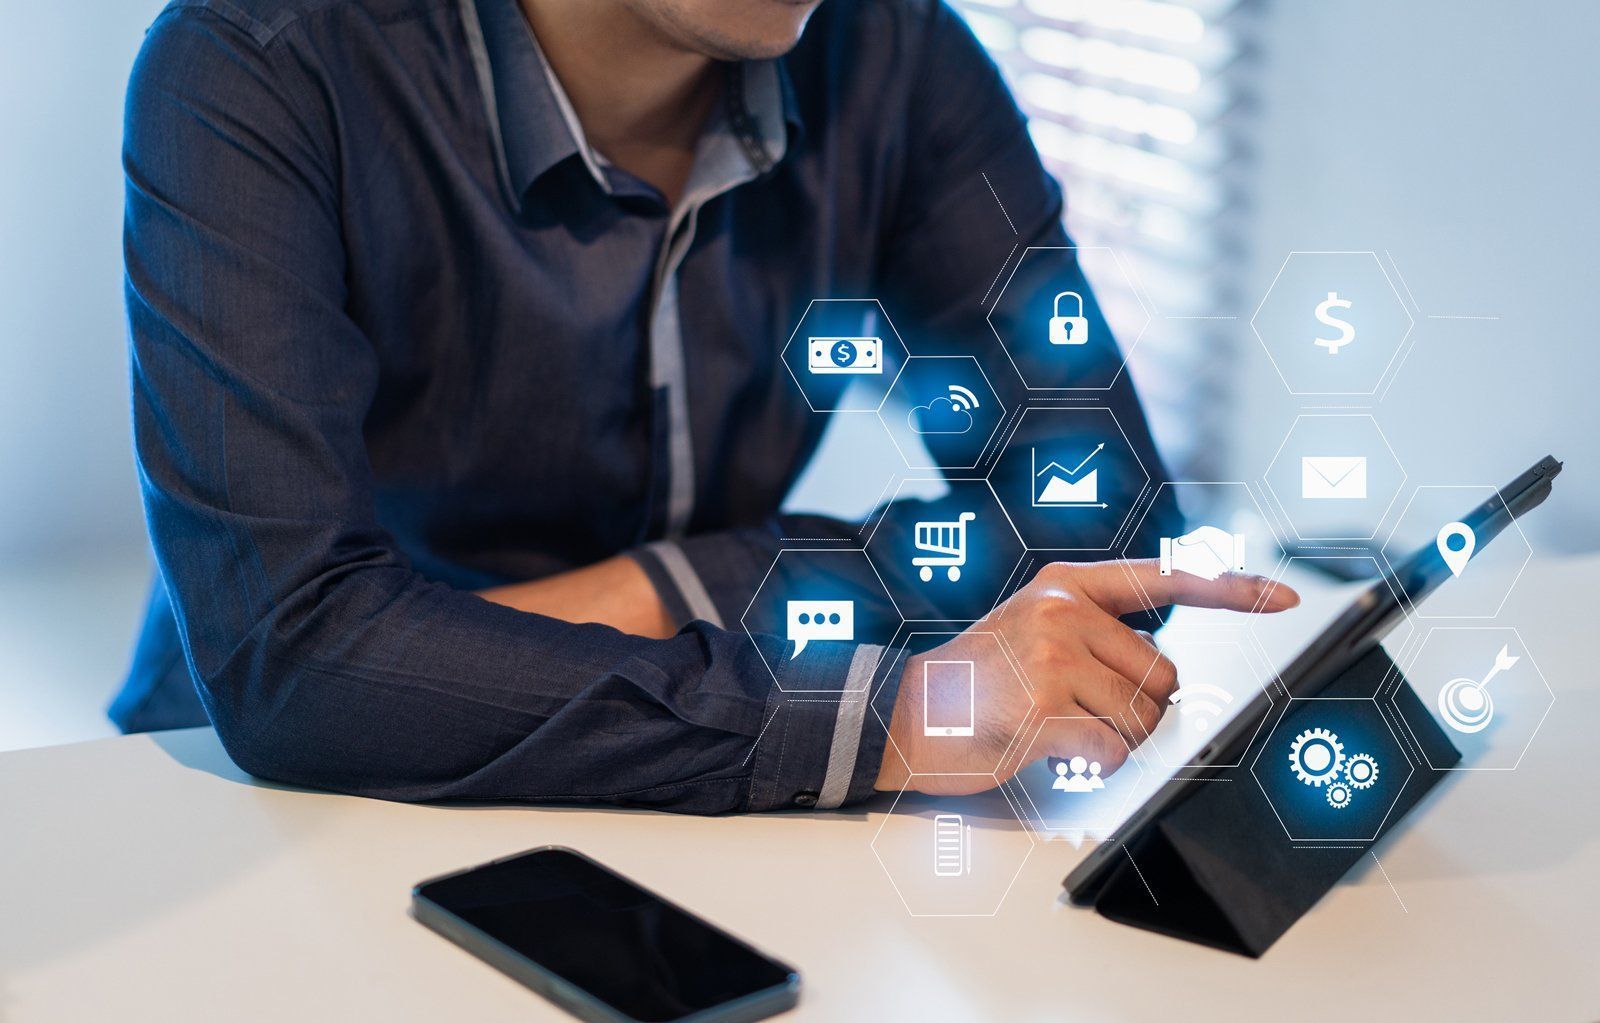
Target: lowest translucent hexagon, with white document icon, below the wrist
x,y
951,856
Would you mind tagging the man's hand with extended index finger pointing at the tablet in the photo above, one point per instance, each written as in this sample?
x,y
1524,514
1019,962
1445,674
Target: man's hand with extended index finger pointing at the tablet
x,y
1081,662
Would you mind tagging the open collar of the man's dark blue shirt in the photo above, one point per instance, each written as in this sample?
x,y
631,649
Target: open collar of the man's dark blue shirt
x,y
535,126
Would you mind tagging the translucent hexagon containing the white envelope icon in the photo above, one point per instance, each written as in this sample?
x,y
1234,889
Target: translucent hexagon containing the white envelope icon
x,y
1335,476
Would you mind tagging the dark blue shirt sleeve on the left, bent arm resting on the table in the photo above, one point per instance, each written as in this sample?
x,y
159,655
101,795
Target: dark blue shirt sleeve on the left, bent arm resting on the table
x,y
321,656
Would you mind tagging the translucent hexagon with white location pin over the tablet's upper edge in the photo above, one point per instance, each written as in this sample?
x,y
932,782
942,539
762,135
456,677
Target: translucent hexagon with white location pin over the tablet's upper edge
x,y
1487,576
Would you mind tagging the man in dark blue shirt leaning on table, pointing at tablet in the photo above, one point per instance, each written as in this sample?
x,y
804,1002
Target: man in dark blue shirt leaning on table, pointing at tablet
x,y
438,297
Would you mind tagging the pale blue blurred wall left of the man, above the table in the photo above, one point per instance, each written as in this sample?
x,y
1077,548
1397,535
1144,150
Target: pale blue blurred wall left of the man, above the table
x,y
73,552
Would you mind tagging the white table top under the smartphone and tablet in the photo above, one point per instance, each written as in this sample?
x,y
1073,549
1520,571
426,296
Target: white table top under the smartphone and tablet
x,y
148,878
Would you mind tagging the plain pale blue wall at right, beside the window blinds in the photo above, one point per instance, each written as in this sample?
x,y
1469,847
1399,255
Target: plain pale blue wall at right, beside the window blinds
x,y
1462,138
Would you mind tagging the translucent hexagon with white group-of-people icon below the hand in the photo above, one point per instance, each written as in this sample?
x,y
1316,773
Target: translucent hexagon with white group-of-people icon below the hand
x,y
1076,795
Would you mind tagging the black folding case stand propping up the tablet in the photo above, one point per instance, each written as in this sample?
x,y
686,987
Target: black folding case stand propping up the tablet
x,y
1220,869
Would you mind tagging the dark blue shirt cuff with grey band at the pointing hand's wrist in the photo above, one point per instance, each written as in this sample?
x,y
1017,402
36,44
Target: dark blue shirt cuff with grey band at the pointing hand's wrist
x,y
823,750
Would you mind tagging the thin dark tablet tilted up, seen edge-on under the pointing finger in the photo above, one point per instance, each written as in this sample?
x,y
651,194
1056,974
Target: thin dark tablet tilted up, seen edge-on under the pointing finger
x,y
1351,636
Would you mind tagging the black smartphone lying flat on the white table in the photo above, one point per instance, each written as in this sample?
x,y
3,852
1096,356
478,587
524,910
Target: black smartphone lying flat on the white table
x,y
599,945
